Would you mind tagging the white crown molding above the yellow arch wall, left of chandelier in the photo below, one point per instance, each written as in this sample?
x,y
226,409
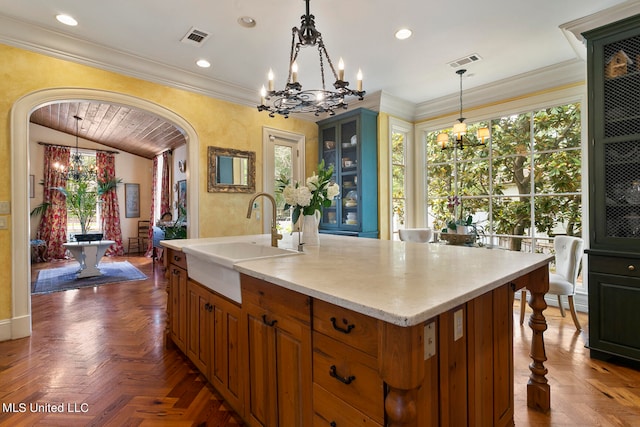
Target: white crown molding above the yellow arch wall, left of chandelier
x,y
66,47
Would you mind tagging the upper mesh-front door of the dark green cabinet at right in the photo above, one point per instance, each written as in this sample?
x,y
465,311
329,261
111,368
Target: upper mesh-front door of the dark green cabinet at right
x,y
614,132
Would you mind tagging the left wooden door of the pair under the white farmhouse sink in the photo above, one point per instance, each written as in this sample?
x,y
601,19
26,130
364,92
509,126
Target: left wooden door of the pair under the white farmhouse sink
x,y
199,319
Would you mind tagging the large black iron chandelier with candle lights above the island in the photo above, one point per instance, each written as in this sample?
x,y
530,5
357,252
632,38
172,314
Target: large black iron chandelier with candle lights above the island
x,y
292,99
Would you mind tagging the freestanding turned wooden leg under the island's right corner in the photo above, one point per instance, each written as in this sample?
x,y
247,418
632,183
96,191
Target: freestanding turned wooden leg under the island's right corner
x,y
538,390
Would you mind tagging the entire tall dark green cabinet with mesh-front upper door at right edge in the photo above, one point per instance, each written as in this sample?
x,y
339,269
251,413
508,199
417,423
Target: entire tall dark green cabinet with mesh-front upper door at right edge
x,y
613,76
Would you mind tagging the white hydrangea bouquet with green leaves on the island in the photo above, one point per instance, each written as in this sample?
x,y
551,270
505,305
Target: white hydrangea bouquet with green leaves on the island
x,y
318,192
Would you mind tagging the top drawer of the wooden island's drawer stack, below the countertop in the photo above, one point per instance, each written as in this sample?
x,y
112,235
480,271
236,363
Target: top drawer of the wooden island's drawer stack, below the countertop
x,y
349,327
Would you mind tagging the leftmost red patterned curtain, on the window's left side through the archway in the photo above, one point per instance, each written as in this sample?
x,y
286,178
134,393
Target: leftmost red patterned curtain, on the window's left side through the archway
x,y
53,224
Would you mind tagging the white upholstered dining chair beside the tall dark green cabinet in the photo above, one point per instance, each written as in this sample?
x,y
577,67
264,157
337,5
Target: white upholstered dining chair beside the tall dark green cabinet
x,y
563,282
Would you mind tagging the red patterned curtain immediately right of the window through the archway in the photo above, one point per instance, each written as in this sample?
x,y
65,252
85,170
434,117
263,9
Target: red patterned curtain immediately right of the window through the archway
x,y
110,209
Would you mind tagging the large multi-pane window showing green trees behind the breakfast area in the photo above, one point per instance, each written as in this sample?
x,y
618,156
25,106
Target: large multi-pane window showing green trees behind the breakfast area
x,y
522,188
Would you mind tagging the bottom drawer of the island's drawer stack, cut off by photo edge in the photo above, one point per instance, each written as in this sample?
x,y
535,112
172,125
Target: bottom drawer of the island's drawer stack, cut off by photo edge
x,y
332,411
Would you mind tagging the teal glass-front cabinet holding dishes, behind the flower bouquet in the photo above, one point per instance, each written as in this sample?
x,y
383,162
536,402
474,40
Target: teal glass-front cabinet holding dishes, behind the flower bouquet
x,y
349,142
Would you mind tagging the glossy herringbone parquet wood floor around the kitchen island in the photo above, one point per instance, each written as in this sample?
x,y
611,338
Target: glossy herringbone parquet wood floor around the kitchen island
x,y
100,353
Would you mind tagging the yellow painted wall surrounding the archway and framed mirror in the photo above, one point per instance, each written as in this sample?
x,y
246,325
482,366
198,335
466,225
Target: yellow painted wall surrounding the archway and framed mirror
x,y
216,123
